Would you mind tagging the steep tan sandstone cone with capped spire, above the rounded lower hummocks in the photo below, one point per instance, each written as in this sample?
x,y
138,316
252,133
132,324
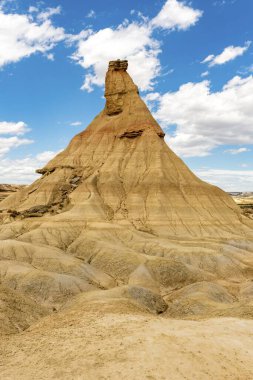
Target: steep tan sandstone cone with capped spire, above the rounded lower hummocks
x,y
120,169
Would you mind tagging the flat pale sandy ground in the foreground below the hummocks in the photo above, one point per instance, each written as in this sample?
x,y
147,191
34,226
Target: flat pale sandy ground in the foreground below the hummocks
x,y
130,345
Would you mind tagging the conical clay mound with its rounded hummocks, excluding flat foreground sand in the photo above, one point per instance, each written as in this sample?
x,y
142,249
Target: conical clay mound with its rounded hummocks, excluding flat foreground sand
x,y
118,198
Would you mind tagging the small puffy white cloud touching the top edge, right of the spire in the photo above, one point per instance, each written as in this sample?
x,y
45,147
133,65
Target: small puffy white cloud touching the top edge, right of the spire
x,y
176,15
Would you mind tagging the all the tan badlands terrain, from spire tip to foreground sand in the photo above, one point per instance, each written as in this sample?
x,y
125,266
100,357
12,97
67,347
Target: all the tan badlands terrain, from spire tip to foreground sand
x,y
118,262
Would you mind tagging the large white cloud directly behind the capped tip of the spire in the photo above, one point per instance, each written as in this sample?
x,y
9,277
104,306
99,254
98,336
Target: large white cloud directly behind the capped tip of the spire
x,y
132,41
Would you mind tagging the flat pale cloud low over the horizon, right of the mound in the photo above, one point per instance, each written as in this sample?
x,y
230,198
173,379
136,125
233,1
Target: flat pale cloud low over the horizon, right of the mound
x,y
228,180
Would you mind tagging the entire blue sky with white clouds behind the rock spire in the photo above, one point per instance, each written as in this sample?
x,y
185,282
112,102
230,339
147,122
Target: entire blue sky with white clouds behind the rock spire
x,y
192,60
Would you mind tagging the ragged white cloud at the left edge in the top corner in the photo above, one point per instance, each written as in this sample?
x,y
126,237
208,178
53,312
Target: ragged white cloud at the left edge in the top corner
x,y
21,36
